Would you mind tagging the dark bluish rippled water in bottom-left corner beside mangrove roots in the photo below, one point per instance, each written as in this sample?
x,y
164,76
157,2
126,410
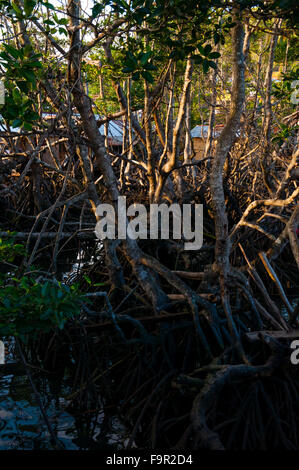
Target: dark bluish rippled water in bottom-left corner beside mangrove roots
x,y
22,426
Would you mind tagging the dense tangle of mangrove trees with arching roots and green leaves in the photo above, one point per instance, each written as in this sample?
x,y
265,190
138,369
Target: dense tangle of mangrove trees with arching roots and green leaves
x,y
191,347
